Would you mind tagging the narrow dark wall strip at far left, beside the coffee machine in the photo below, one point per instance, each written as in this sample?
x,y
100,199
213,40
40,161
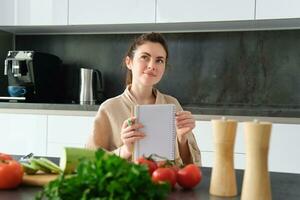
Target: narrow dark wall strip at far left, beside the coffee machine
x,y
6,44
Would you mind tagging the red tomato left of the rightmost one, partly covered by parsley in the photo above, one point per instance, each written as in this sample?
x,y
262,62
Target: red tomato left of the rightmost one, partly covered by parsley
x,y
164,175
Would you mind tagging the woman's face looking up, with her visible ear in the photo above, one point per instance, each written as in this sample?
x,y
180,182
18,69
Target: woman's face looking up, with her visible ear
x,y
148,64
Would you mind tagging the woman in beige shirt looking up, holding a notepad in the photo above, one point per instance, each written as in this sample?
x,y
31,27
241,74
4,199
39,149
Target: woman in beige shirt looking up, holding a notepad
x,y
146,60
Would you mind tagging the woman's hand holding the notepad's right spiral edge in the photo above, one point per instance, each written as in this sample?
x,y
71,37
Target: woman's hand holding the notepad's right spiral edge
x,y
185,122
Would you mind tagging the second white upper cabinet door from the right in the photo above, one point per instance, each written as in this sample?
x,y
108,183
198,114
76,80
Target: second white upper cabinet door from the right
x,y
204,10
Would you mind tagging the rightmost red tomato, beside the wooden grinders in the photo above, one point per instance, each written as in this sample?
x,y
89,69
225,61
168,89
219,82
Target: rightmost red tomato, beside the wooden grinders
x,y
189,176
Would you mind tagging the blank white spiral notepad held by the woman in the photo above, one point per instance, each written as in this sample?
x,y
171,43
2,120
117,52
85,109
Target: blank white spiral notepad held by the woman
x,y
159,128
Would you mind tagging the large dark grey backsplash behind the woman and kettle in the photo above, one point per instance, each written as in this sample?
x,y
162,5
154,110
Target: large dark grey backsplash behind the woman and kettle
x,y
227,69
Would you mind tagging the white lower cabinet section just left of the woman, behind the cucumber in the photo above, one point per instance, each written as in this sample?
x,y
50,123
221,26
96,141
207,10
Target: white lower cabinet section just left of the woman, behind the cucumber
x,y
70,131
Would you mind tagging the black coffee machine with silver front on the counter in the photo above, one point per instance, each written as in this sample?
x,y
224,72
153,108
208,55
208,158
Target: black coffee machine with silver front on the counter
x,y
39,72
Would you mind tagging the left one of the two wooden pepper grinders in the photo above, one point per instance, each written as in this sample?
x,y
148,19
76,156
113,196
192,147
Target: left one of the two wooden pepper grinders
x,y
223,179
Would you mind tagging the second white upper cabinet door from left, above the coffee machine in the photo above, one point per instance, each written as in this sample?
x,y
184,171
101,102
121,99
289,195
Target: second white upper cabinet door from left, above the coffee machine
x,y
45,12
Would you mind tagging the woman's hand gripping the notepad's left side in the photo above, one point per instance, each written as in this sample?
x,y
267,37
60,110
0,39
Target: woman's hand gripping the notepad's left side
x,y
129,135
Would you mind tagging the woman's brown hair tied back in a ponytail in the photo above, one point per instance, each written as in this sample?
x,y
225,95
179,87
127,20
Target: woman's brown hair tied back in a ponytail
x,y
142,39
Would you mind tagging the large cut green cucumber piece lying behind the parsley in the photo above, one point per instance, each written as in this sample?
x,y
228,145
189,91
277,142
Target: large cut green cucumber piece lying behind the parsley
x,y
71,156
